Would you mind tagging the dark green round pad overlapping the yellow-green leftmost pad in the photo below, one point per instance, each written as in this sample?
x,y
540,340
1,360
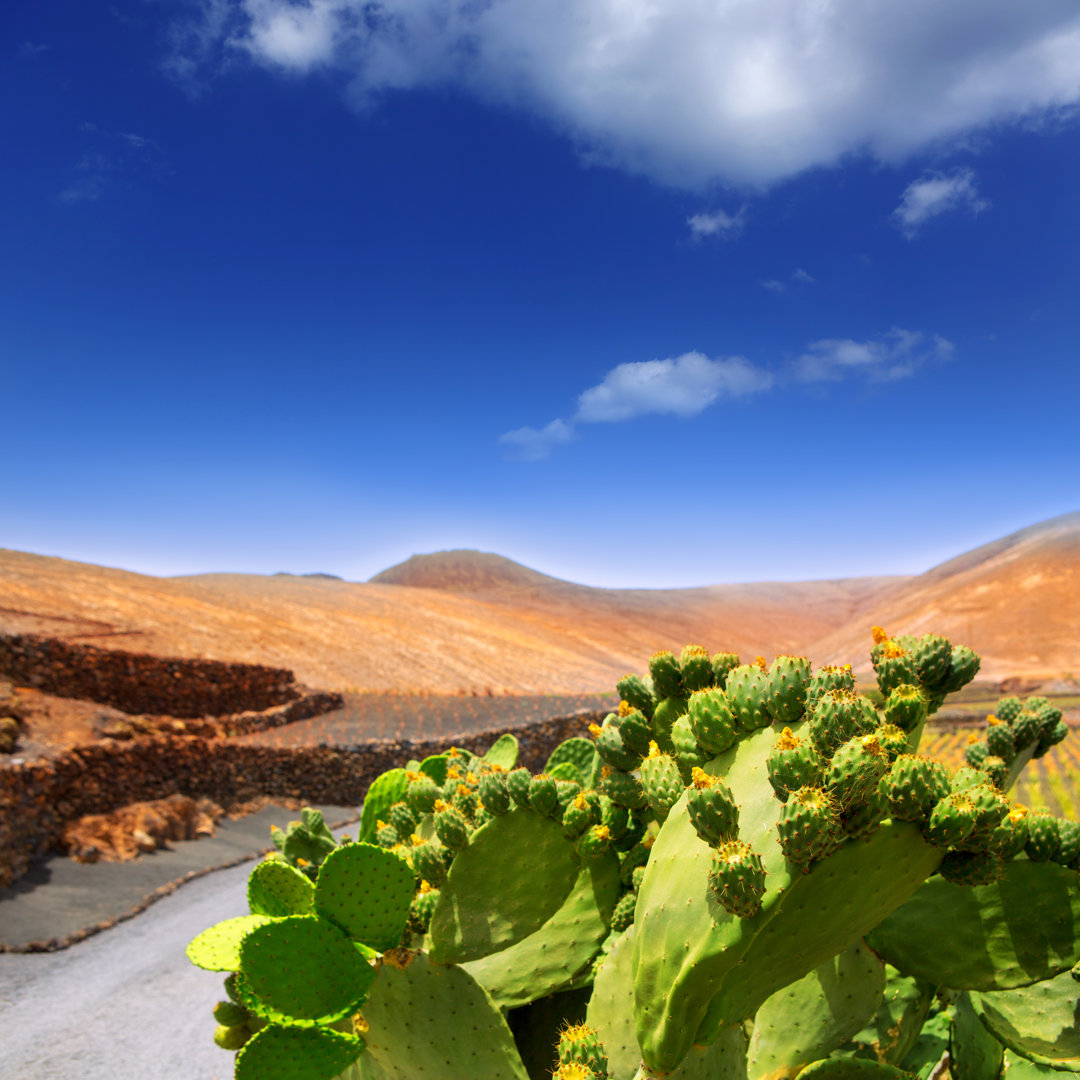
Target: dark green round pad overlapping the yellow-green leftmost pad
x,y
306,969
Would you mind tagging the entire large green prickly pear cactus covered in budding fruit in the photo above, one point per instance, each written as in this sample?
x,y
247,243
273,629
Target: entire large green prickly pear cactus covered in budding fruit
x,y
748,872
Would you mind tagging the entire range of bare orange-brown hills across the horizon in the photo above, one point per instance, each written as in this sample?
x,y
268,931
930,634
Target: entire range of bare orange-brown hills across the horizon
x,y
474,622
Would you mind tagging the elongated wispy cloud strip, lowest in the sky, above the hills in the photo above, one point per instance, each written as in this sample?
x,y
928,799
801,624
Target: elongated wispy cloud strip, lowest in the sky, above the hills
x,y
687,385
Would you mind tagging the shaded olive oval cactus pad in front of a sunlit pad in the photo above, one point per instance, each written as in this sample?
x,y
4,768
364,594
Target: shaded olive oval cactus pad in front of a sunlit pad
x,y
493,898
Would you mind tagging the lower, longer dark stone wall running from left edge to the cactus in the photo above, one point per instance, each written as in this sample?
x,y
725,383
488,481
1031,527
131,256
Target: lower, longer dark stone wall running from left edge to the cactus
x,y
37,801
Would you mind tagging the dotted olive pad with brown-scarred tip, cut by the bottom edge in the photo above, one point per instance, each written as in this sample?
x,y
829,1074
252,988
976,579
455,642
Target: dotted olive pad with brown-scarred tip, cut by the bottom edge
x,y
426,1021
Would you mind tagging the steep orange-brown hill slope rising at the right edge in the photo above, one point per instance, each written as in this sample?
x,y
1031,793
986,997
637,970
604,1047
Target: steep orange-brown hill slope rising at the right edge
x,y
1016,602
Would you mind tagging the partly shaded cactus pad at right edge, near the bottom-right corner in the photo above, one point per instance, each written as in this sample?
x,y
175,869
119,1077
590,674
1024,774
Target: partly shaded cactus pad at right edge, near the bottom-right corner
x,y
1037,1021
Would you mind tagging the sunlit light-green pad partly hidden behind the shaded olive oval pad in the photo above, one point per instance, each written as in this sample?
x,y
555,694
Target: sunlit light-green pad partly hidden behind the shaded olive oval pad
x,y
549,958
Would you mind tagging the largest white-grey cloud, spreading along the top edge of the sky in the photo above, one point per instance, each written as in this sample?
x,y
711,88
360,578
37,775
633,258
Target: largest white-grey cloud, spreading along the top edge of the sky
x,y
742,91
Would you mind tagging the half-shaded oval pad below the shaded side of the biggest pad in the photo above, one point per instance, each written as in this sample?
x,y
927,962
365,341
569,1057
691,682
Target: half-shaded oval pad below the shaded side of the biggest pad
x,y
816,1015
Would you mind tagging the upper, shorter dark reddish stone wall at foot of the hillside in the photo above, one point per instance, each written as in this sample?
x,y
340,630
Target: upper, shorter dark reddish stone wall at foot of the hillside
x,y
139,683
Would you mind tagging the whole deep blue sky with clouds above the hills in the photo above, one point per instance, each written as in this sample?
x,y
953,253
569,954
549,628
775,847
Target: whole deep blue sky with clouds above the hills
x,y
644,294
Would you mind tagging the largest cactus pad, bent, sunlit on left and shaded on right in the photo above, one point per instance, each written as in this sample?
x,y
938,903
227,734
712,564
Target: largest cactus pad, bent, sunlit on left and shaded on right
x,y
699,968
